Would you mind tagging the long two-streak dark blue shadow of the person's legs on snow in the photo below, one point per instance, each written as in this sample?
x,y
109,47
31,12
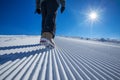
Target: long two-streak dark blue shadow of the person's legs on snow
x,y
19,55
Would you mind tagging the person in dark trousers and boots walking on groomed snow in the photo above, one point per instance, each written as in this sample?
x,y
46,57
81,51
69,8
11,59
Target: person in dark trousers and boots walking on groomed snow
x,y
48,9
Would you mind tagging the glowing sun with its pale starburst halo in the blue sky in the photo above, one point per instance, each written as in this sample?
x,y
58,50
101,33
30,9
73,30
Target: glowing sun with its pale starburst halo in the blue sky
x,y
93,15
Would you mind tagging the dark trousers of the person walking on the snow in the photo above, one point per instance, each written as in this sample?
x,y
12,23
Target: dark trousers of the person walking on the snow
x,y
49,11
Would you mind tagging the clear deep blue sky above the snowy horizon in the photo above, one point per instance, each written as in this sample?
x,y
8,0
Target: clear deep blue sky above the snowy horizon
x,y
17,17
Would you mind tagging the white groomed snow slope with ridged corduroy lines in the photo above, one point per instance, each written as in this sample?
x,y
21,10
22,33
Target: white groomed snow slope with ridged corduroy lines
x,y
21,57
